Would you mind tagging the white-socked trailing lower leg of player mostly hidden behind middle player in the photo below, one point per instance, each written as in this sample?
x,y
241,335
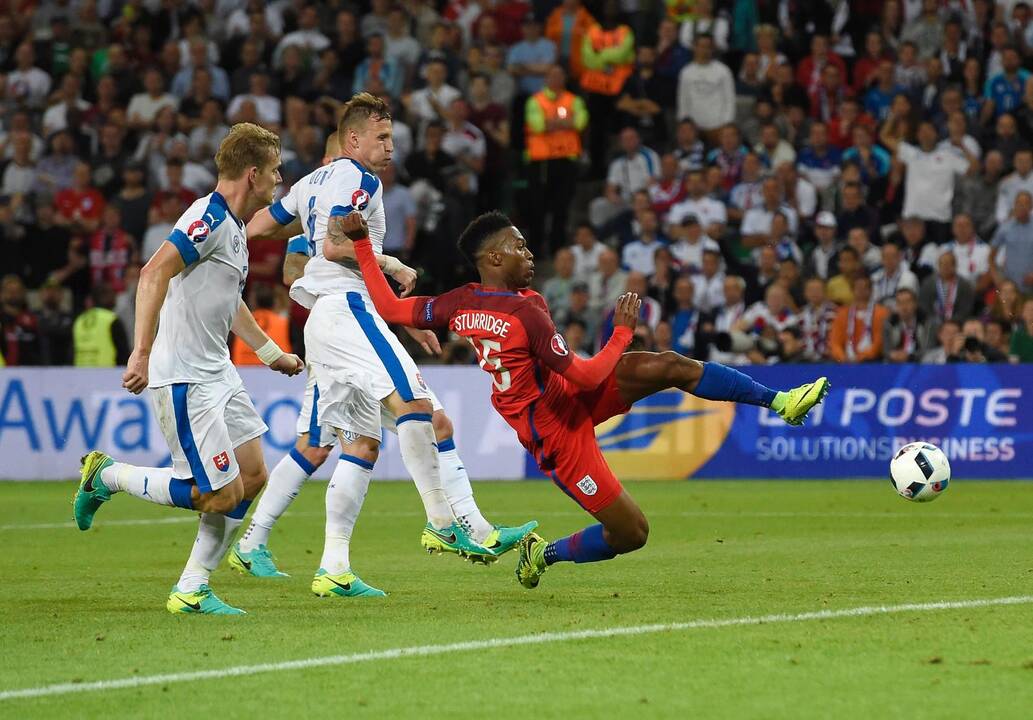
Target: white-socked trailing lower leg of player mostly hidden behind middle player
x,y
252,555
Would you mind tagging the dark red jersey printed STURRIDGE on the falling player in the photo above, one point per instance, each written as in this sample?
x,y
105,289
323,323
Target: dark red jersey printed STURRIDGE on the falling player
x,y
515,339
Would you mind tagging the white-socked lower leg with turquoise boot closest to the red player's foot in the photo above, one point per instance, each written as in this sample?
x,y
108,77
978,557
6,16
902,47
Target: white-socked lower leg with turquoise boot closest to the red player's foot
x,y
498,539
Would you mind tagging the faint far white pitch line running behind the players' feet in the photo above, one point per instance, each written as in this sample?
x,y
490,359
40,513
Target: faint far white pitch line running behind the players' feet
x,y
570,514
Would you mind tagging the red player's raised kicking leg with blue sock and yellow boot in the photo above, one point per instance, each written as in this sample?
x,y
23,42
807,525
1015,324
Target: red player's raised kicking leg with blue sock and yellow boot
x,y
642,374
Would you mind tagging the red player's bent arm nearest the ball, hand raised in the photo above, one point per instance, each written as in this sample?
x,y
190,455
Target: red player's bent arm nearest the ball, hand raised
x,y
589,374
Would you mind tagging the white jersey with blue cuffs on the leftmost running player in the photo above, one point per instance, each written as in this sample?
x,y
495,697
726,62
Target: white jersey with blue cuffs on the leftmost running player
x,y
192,345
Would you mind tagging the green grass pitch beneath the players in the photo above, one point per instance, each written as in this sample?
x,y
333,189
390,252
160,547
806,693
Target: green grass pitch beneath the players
x,y
89,607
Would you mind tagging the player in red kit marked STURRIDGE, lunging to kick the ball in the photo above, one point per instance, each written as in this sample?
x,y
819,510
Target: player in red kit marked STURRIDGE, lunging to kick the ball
x,y
548,395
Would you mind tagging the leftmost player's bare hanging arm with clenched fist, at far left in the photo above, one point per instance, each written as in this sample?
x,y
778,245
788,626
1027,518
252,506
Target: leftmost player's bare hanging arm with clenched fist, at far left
x,y
151,290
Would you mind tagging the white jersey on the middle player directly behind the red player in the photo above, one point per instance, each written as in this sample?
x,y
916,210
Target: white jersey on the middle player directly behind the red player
x,y
342,187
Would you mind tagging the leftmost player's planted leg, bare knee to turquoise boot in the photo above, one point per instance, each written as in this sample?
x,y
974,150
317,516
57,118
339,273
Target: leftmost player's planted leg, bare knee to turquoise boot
x,y
215,535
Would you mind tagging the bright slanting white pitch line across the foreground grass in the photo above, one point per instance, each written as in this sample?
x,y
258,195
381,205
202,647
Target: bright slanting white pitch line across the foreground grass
x,y
496,643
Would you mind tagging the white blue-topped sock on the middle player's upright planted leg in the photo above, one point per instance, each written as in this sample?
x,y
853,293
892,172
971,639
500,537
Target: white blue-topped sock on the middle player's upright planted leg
x,y
345,499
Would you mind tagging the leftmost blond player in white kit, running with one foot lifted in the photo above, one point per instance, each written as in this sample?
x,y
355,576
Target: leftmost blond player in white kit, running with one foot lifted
x,y
189,301
